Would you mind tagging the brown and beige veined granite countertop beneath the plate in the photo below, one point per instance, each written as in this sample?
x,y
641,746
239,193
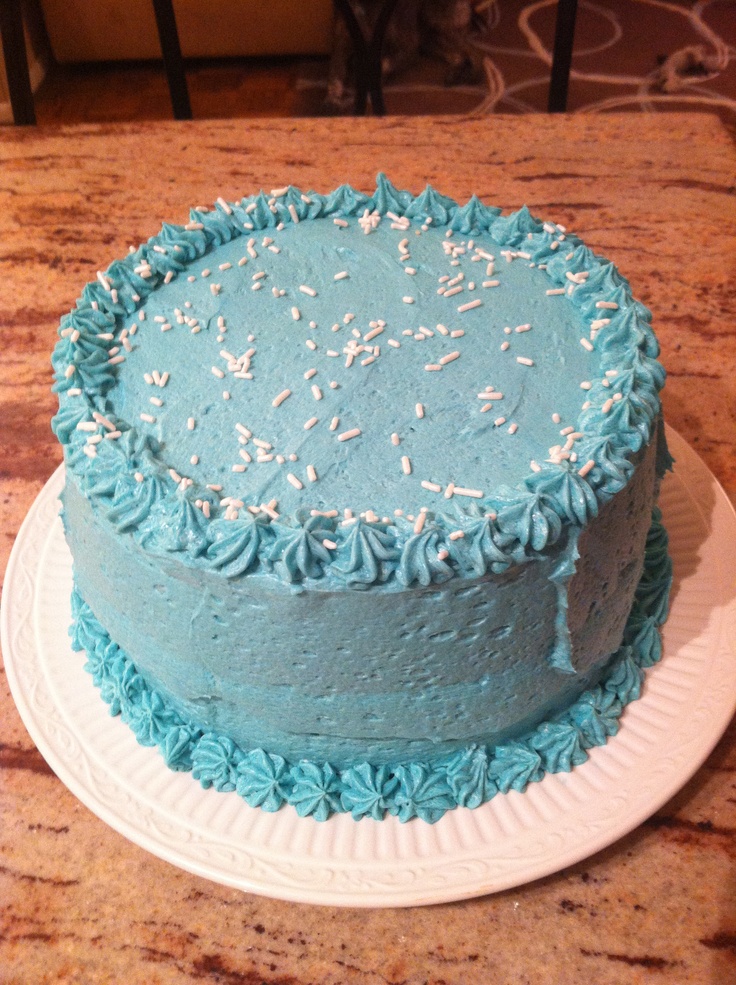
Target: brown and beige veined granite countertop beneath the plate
x,y
78,902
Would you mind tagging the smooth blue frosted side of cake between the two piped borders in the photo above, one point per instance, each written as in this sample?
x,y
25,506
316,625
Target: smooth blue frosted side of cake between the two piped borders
x,y
389,675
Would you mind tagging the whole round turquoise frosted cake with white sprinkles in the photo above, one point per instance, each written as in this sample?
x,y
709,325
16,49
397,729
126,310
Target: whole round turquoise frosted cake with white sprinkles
x,y
361,497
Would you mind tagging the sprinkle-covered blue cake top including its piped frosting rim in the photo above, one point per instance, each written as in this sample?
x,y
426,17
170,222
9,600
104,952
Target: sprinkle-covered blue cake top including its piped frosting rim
x,y
305,363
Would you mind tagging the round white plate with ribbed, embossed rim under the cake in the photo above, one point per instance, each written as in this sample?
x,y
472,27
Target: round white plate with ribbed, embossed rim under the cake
x,y
688,700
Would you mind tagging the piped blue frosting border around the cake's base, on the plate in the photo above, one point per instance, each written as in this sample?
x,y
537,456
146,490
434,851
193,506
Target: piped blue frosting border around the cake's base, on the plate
x,y
426,790
